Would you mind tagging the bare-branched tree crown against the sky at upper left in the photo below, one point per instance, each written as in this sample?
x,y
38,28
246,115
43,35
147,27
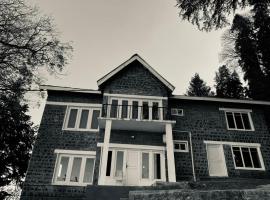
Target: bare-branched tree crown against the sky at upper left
x,y
27,41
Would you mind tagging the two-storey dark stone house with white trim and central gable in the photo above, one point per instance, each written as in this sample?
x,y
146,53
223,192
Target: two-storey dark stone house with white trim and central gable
x,y
133,131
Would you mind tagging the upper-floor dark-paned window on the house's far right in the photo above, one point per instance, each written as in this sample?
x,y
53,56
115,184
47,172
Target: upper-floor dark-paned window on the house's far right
x,y
239,120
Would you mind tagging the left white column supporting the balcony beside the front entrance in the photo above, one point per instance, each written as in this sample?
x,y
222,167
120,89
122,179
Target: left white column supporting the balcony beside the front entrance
x,y
104,155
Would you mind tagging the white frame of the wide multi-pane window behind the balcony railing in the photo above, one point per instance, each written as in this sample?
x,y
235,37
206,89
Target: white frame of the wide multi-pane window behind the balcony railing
x,y
140,104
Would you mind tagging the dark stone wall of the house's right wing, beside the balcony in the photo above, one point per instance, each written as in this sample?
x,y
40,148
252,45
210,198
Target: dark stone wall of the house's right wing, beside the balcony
x,y
207,122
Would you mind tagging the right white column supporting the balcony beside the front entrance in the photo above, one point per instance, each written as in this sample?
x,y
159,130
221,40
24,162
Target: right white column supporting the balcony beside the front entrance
x,y
170,153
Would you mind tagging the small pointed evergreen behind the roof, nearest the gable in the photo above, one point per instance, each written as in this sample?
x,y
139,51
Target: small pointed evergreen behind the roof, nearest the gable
x,y
198,87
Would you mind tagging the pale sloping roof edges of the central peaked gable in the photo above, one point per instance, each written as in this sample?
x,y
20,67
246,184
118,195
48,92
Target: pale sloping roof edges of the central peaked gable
x,y
145,64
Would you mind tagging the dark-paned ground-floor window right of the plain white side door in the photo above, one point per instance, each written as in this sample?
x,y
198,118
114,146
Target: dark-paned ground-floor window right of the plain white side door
x,y
247,157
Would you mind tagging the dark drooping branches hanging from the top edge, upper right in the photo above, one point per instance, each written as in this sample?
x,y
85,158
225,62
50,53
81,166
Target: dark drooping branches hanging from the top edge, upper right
x,y
214,14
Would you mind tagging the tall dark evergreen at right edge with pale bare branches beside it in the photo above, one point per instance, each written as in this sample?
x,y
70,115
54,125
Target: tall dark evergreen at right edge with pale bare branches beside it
x,y
245,44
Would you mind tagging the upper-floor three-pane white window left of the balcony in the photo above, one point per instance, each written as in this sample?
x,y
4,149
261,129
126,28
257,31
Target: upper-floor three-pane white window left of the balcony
x,y
82,118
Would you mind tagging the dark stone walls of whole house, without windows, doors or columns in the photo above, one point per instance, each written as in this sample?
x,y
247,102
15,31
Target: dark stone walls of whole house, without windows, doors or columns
x,y
203,119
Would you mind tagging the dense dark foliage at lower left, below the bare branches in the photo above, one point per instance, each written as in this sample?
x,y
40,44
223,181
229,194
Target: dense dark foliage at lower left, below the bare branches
x,y
16,137
